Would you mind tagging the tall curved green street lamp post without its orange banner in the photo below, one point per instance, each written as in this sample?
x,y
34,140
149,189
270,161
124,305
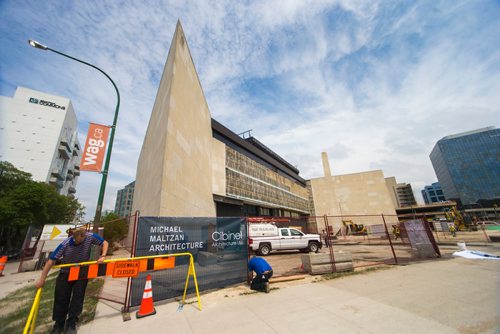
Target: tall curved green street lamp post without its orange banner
x,y
97,217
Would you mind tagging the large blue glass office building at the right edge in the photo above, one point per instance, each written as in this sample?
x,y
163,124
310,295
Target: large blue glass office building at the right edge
x,y
467,165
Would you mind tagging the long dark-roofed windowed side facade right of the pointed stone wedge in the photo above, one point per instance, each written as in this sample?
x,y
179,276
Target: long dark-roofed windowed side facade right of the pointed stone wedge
x,y
258,181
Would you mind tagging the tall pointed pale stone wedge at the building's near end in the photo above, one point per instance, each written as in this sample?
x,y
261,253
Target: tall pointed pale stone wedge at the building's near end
x,y
174,171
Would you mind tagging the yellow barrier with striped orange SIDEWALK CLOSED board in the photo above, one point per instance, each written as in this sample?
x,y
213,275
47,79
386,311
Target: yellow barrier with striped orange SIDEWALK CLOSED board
x,y
118,268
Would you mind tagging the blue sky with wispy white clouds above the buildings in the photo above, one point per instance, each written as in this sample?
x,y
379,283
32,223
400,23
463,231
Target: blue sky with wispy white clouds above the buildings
x,y
375,84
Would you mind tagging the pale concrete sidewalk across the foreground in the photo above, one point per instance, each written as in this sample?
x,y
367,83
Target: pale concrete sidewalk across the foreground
x,y
453,295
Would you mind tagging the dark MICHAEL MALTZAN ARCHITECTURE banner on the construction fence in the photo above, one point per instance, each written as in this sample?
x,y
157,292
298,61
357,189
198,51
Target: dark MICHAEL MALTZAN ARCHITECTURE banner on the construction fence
x,y
219,247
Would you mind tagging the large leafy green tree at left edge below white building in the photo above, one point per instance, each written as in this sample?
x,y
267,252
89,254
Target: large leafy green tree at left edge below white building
x,y
24,202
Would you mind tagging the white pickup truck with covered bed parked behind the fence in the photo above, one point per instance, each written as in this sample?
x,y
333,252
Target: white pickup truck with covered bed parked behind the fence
x,y
264,238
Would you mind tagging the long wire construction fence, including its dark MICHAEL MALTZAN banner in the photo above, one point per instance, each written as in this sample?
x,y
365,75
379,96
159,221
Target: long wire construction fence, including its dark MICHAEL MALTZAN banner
x,y
220,247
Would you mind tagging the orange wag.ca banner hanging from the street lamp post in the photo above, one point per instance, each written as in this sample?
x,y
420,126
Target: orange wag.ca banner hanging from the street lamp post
x,y
95,148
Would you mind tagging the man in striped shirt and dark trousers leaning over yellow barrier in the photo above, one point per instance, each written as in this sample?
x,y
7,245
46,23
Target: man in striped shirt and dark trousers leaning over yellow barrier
x,y
69,296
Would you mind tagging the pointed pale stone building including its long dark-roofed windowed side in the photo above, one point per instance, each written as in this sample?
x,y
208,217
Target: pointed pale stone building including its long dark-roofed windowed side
x,y
191,165
